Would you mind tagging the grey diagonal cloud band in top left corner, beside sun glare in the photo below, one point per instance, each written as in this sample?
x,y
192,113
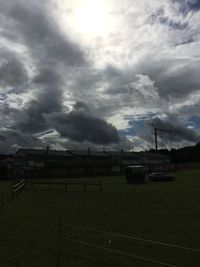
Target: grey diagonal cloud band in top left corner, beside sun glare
x,y
37,30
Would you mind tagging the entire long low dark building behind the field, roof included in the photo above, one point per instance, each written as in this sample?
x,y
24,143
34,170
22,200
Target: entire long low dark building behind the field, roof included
x,y
36,163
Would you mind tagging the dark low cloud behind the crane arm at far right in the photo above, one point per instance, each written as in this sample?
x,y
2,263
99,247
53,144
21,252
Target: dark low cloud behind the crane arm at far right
x,y
178,131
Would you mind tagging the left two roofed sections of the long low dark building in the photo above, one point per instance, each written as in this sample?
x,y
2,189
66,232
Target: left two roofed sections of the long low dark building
x,y
35,163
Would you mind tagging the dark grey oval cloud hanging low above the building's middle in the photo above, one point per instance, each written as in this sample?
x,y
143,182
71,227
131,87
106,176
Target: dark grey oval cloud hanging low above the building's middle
x,y
79,125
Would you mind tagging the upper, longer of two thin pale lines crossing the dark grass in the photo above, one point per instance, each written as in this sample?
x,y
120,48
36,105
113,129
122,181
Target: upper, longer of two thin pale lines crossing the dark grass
x,y
117,234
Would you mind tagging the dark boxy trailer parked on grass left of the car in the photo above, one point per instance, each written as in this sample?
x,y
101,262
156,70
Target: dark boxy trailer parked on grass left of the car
x,y
135,174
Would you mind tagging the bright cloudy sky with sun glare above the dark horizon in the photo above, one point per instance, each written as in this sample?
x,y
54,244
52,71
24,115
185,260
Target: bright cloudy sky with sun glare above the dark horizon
x,y
99,73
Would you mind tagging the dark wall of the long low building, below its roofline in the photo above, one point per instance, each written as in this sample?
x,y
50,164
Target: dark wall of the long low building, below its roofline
x,y
36,166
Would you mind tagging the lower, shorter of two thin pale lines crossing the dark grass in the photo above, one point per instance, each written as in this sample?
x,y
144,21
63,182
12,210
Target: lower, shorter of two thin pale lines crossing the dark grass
x,y
119,252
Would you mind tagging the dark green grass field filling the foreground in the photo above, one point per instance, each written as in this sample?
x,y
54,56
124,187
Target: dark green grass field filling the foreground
x,y
127,216
